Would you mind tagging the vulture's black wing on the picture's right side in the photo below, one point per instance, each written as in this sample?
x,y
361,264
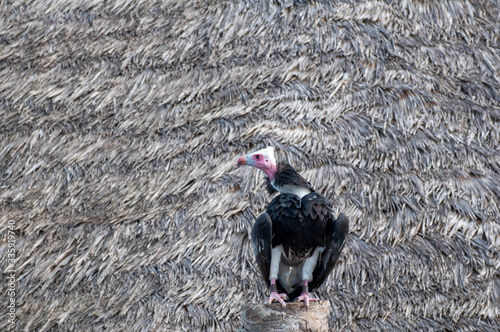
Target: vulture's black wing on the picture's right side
x,y
336,233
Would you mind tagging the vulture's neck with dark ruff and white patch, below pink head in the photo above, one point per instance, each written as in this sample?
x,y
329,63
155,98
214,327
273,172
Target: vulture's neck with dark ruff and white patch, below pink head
x,y
287,180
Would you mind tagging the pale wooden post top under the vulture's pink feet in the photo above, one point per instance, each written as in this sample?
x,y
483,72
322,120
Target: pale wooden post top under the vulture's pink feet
x,y
261,317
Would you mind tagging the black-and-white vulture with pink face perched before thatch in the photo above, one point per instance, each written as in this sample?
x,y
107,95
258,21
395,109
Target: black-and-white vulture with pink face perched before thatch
x,y
297,241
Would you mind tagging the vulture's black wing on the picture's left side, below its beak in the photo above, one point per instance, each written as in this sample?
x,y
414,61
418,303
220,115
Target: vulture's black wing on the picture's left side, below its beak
x,y
261,243
